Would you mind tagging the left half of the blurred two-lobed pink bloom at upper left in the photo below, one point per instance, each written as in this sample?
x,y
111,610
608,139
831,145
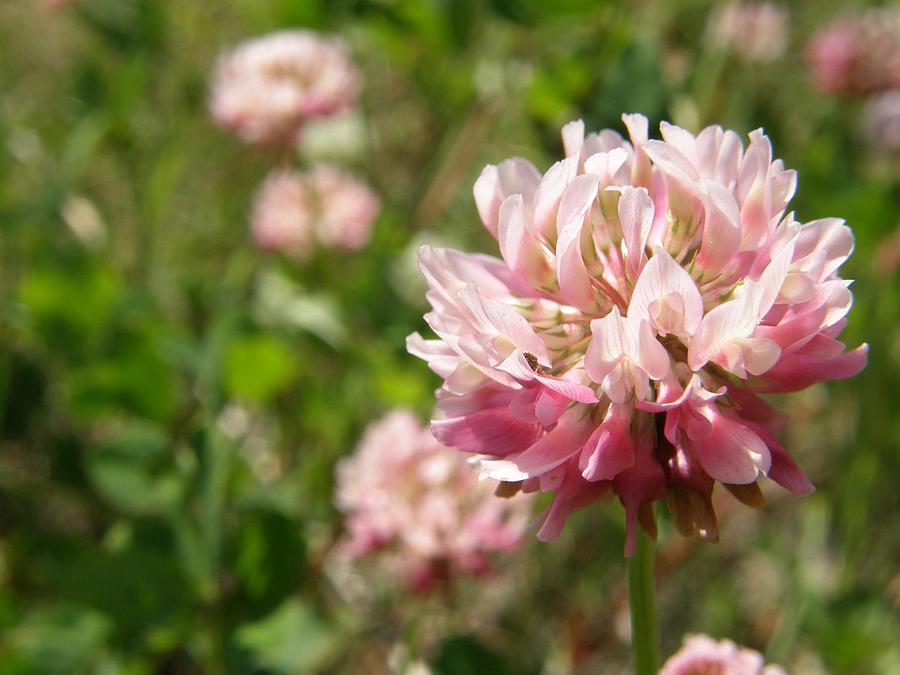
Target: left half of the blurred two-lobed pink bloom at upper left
x,y
283,217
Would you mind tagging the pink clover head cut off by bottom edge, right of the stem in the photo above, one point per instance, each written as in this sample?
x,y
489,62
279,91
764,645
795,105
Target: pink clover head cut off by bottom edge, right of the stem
x,y
701,655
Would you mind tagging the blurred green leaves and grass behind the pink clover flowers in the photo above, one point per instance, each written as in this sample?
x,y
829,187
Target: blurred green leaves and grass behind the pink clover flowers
x,y
173,401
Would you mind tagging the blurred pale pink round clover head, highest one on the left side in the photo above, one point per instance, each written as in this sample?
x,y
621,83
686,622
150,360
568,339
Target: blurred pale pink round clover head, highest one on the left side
x,y
266,88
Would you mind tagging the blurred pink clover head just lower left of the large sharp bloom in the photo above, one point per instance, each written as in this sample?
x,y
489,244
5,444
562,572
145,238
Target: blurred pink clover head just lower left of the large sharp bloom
x,y
420,507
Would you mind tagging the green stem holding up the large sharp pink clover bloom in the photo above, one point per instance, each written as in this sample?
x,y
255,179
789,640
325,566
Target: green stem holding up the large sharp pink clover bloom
x,y
642,602
